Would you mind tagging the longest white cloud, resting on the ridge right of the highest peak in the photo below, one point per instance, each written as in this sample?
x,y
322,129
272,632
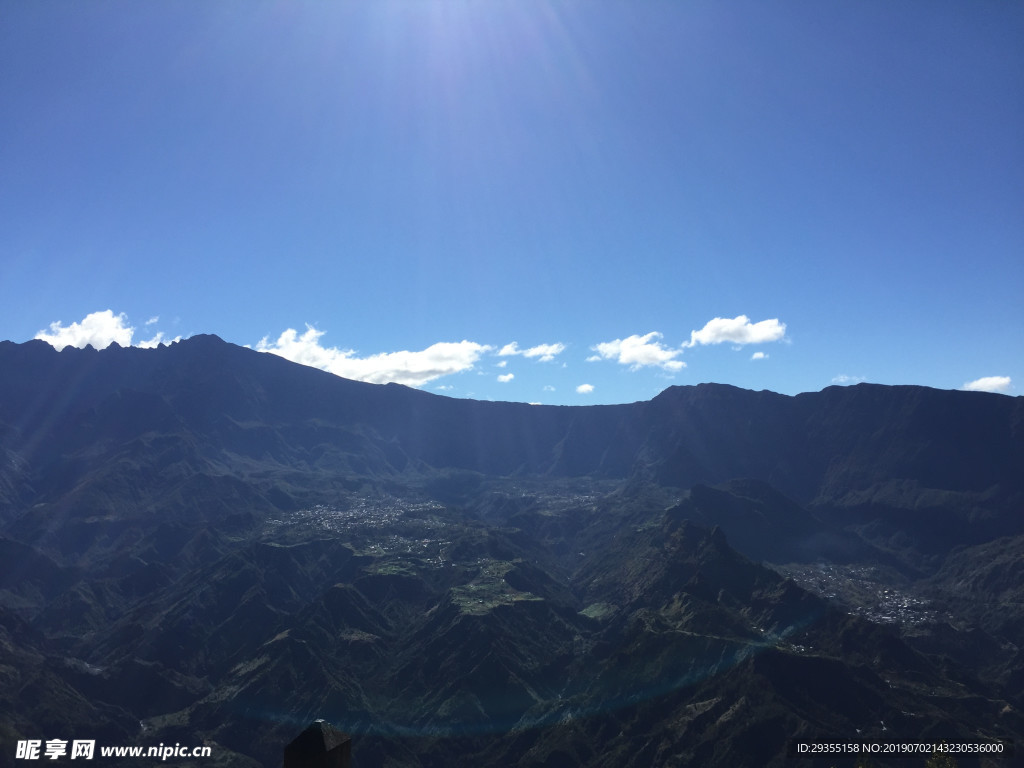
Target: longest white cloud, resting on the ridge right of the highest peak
x,y
412,369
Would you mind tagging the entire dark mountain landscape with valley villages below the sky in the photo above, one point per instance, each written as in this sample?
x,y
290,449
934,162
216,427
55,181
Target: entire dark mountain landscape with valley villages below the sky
x,y
201,543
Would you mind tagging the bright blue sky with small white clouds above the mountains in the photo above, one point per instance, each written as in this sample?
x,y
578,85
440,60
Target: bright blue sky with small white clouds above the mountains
x,y
562,203
